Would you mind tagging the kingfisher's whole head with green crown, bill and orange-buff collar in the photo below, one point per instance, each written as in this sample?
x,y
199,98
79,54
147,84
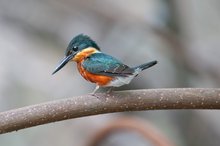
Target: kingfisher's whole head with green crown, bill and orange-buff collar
x,y
79,47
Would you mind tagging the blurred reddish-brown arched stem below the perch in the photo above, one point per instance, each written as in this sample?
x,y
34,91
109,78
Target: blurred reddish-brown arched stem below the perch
x,y
124,124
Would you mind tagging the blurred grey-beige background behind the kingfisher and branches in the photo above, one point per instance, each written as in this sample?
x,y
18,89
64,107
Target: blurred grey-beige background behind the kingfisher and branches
x,y
184,36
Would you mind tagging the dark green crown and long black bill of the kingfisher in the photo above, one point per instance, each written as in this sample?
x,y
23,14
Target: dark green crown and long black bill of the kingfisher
x,y
77,44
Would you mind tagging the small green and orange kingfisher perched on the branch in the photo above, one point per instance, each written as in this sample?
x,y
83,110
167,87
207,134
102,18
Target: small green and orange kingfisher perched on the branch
x,y
97,67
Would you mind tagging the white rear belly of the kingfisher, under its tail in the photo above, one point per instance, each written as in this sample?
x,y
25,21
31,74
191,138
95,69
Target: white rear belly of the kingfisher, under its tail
x,y
120,81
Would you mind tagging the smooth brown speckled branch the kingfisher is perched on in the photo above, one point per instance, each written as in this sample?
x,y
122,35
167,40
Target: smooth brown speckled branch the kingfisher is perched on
x,y
133,100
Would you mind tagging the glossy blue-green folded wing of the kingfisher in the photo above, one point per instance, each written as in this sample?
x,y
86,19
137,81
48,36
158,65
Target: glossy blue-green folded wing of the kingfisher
x,y
100,63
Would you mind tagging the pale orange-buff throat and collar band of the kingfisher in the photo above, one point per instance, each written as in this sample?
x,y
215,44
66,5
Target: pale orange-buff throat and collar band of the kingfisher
x,y
84,54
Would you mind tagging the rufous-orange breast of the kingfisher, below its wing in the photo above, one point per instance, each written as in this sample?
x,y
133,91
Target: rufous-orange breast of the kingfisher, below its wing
x,y
98,79
